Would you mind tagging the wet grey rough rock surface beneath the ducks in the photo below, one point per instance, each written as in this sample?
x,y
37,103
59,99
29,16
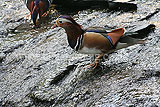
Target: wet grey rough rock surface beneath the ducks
x,y
39,69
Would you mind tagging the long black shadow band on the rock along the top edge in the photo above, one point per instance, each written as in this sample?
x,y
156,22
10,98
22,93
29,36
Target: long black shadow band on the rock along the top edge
x,y
71,7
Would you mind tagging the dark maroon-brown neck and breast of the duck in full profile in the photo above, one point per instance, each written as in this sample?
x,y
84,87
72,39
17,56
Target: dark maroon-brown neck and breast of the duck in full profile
x,y
73,32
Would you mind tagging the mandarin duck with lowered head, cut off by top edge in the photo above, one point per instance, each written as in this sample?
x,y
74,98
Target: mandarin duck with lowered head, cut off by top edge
x,y
38,7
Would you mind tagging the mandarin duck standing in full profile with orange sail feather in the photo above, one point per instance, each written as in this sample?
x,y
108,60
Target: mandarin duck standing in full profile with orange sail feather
x,y
94,40
